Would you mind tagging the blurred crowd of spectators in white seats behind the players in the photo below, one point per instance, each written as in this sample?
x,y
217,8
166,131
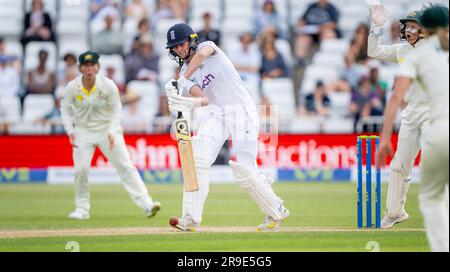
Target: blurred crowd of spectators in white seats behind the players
x,y
307,58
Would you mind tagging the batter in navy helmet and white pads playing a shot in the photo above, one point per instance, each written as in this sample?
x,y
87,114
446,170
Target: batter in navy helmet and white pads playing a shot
x,y
208,78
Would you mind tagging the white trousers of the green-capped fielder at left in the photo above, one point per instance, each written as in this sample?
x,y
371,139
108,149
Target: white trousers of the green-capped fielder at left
x,y
85,143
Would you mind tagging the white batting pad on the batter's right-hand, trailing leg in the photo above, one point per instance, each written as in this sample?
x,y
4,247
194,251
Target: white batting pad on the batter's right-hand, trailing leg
x,y
262,194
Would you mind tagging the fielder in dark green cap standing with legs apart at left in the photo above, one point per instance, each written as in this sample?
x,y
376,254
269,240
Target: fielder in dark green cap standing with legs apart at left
x,y
91,116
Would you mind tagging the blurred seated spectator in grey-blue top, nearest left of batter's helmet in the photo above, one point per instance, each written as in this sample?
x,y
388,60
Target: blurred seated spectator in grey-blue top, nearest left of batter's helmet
x,y
144,63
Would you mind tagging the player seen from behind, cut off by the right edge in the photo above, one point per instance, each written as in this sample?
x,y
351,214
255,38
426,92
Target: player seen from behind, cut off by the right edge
x,y
428,64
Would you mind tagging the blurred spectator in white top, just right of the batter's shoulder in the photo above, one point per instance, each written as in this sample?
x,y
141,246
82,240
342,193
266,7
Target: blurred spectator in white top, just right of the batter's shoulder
x,y
247,58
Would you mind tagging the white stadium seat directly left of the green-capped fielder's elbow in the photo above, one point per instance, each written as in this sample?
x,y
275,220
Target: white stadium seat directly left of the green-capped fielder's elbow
x,y
35,106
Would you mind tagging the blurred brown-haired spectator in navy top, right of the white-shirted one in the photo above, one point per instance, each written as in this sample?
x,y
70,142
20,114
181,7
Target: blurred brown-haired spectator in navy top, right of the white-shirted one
x,y
272,64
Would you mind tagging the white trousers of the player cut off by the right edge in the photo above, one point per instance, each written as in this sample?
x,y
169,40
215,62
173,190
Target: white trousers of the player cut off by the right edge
x,y
434,172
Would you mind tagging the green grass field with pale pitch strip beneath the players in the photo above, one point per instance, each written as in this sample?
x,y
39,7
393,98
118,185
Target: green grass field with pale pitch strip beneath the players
x,y
323,218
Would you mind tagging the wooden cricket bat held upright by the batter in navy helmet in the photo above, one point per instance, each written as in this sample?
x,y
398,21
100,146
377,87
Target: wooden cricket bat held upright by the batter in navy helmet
x,y
183,134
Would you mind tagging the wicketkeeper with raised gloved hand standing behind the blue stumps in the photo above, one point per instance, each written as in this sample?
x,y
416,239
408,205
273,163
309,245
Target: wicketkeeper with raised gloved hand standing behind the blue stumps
x,y
414,116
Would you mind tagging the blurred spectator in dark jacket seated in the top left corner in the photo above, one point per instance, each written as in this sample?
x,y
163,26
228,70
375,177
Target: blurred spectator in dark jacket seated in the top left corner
x,y
37,24
